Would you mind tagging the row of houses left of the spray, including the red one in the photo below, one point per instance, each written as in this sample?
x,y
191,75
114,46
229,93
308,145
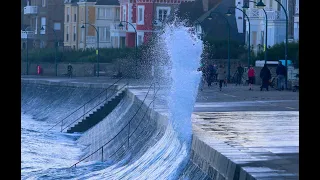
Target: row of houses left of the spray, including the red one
x,y
74,24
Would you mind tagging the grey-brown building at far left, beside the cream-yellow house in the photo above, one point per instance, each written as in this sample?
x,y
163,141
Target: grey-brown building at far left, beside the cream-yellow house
x,y
45,23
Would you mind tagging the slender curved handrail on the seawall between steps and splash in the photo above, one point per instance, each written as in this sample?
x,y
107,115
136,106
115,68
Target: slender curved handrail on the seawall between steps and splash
x,y
123,127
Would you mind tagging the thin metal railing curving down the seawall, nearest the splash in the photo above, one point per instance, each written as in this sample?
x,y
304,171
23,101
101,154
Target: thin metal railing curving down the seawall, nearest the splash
x,y
127,125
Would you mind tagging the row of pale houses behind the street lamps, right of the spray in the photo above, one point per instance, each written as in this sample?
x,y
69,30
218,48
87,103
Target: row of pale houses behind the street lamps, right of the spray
x,y
276,31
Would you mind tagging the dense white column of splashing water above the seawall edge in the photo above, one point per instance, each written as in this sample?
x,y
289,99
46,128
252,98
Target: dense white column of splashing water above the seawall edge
x,y
184,49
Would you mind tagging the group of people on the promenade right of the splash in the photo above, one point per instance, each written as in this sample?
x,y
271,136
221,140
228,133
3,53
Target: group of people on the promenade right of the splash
x,y
210,73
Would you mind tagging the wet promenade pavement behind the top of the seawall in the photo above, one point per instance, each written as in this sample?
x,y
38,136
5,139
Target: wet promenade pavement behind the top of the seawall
x,y
259,129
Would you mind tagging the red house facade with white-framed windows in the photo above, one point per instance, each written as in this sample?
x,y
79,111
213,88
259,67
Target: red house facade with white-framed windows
x,y
142,14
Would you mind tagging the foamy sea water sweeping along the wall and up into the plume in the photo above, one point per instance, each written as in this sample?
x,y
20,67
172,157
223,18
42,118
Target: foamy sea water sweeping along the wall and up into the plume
x,y
48,155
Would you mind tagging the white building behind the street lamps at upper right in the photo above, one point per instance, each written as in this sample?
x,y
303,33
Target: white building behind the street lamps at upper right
x,y
276,24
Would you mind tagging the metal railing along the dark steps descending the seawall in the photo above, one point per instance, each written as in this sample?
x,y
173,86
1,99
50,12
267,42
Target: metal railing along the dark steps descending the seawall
x,y
85,108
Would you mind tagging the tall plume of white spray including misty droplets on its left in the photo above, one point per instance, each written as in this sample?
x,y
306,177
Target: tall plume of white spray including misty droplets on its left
x,y
176,53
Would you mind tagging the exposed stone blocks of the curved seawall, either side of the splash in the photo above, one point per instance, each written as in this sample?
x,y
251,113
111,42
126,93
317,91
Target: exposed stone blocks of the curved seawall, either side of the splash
x,y
50,101
